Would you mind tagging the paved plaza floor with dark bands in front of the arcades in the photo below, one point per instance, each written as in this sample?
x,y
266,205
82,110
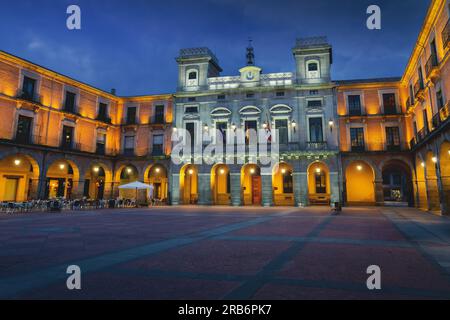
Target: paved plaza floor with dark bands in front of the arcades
x,y
225,253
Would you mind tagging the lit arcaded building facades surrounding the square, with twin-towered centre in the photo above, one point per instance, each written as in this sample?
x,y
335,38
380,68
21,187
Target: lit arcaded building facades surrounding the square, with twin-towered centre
x,y
360,142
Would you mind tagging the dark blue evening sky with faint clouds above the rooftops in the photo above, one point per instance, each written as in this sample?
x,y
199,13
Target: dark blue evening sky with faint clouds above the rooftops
x,y
131,45
